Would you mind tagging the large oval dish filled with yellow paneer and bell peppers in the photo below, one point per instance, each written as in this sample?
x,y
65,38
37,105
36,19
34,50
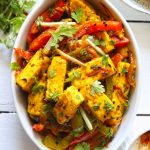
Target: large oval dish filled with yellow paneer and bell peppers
x,y
76,67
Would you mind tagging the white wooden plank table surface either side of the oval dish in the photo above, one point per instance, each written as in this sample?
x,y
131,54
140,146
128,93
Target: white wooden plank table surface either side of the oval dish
x,y
12,135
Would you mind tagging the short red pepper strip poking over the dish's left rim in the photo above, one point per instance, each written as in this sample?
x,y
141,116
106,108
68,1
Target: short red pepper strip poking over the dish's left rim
x,y
24,54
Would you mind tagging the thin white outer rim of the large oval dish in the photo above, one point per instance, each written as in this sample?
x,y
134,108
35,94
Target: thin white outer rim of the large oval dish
x,y
136,51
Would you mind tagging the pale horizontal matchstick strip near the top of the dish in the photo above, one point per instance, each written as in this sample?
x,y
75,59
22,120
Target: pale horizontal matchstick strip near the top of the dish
x,y
53,24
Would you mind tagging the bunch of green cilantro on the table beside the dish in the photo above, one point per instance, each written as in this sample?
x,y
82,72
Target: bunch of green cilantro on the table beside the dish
x,y
12,15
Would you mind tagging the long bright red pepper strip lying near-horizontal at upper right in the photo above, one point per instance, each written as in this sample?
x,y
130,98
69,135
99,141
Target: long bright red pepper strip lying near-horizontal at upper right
x,y
91,28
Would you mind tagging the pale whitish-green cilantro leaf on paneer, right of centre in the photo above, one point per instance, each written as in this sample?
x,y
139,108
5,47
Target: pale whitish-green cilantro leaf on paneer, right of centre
x,y
97,88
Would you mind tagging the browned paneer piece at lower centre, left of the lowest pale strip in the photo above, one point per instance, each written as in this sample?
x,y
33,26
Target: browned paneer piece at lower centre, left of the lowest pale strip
x,y
67,104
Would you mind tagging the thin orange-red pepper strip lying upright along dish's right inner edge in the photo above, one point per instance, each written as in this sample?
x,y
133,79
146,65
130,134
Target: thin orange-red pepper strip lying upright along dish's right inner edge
x,y
131,72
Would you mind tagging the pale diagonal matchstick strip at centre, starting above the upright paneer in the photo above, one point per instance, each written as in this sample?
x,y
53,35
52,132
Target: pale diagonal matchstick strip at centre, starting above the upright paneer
x,y
68,57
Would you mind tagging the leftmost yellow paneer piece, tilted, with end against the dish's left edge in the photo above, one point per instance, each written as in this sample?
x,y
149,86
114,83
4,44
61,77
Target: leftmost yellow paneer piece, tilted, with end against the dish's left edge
x,y
36,65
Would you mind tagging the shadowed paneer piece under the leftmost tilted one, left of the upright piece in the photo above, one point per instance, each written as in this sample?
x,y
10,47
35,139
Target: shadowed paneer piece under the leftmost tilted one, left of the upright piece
x,y
36,97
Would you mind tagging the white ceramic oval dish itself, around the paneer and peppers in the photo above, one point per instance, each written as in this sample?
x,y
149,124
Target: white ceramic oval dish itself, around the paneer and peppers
x,y
20,100
